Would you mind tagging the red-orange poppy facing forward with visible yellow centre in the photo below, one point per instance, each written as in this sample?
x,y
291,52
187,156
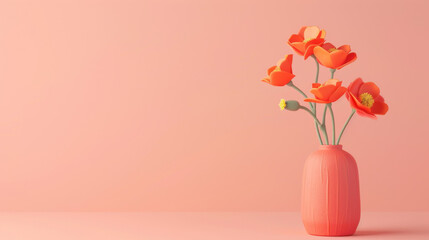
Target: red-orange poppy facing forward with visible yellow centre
x,y
366,99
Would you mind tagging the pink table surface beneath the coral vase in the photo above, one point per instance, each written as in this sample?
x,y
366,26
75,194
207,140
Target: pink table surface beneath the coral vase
x,y
197,225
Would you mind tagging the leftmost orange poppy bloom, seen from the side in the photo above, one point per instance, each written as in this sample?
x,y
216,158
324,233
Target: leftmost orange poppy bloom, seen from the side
x,y
281,74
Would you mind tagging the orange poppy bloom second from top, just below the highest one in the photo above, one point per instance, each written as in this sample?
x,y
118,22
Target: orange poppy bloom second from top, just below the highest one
x,y
336,58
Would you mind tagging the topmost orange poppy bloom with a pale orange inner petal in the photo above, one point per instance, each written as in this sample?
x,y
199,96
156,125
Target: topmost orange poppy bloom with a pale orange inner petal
x,y
304,42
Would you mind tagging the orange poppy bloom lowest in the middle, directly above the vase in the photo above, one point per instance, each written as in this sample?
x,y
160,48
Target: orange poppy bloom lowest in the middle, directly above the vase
x,y
328,92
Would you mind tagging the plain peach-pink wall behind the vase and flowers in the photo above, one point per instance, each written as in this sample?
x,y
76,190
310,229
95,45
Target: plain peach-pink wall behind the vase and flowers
x,y
158,105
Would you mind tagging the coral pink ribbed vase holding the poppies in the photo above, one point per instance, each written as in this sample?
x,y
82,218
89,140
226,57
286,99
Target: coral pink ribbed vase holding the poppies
x,y
330,193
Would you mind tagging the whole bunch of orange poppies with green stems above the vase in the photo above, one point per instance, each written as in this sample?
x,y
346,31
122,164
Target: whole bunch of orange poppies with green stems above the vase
x,y
364,97
